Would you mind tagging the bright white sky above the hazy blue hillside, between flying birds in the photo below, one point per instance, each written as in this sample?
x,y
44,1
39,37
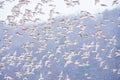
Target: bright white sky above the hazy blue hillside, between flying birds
x,y
85,5
